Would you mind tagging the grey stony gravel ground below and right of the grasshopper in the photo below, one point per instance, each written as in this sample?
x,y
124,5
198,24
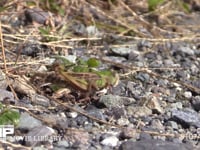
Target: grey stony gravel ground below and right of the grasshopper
x,y
155,106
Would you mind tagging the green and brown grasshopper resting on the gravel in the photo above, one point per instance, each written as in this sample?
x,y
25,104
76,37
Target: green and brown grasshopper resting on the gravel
x,y
86,79
